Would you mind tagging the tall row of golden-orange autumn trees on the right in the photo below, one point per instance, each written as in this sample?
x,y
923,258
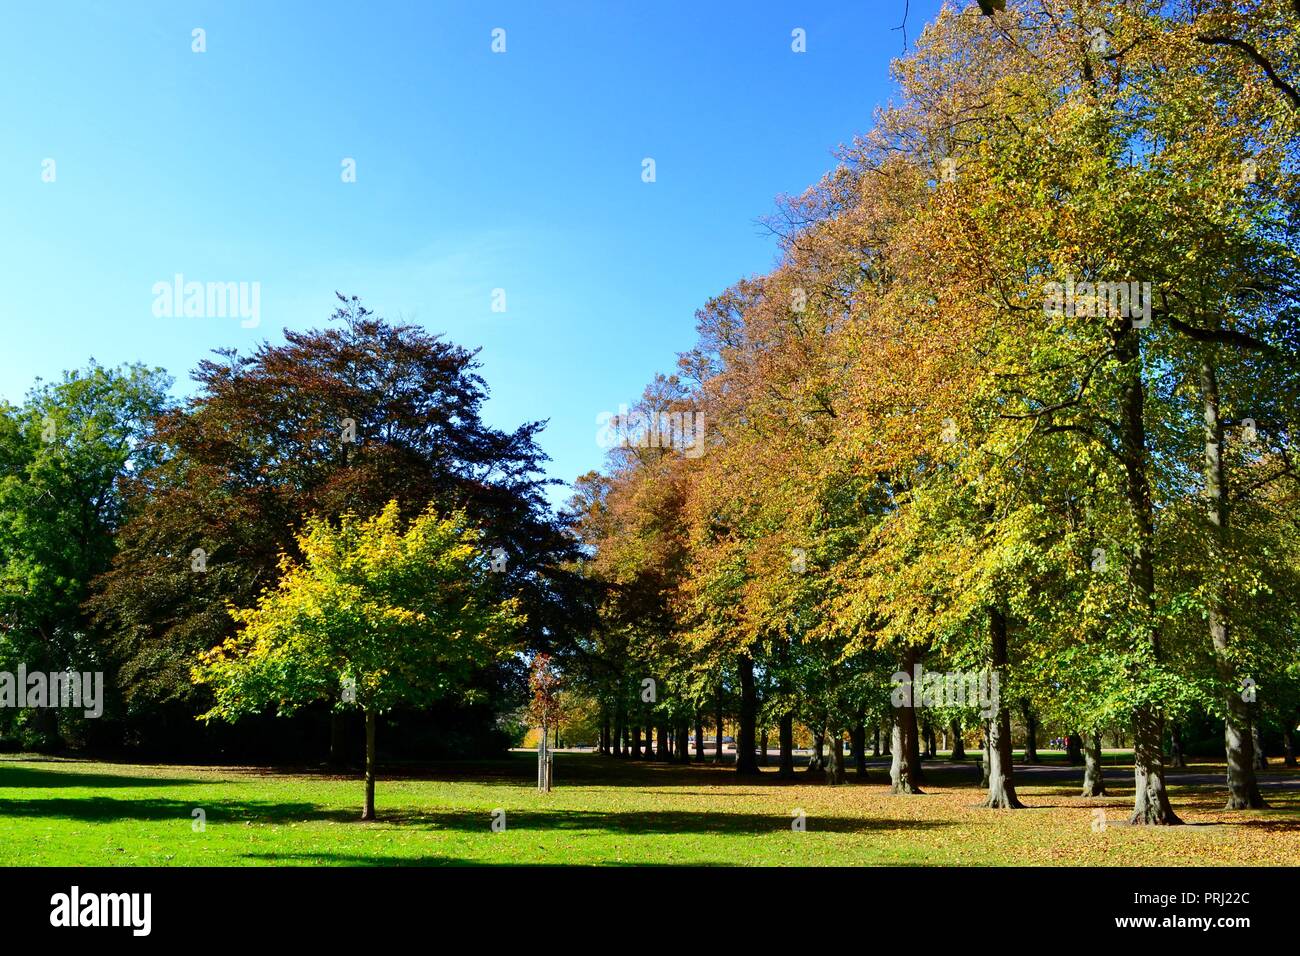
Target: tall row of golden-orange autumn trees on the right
x,y
1017,400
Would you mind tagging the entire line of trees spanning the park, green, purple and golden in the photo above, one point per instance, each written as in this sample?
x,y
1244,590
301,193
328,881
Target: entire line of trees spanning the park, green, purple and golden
x,y
1015,408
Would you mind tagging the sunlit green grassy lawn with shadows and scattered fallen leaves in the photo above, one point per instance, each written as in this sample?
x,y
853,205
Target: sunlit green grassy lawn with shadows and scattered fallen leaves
x,y
63,812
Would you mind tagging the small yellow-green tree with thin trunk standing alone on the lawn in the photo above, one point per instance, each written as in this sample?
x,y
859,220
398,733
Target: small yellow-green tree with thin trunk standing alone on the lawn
x,y
374,617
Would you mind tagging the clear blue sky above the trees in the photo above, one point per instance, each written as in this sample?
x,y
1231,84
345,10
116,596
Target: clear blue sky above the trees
x,y
475,171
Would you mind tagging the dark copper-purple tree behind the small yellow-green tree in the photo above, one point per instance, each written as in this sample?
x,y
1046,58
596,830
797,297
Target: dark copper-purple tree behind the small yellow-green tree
x,y
339,419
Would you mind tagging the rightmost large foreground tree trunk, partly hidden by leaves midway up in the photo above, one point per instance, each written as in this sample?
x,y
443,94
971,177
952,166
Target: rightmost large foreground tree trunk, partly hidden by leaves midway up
x,y
1243,790
